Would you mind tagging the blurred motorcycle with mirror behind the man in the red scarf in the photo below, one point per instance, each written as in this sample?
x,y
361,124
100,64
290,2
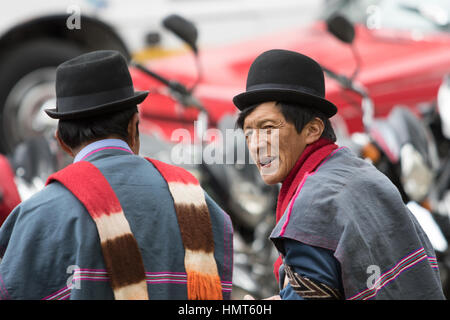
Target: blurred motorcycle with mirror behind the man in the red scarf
x,y
404,148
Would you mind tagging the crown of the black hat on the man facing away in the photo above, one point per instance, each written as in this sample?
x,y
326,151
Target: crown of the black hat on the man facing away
x,y
98,71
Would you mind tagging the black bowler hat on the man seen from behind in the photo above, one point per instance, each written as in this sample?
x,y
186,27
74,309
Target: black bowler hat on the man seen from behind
x,y
93,84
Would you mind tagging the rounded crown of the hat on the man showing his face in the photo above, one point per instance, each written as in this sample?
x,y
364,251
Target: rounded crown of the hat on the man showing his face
x,y
286,69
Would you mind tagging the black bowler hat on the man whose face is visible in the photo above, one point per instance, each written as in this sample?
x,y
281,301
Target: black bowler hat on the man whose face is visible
x,y
285,76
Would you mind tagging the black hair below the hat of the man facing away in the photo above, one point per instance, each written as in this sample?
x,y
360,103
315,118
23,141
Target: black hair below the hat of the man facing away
x,y
77,132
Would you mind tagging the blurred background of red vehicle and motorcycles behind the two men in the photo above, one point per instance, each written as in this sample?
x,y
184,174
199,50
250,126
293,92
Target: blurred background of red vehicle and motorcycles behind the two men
x,y
386,64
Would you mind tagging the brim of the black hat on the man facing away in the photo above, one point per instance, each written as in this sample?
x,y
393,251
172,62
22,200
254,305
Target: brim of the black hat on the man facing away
x,y
139,96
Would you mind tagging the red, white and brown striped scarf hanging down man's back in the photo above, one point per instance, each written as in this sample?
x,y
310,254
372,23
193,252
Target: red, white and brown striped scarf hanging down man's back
x,y
120,249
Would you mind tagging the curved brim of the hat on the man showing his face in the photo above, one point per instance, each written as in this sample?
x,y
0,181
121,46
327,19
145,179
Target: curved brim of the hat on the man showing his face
x,y
257,96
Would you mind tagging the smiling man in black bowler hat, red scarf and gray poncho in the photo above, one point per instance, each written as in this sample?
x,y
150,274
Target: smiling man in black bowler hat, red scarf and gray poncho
x,y
343,231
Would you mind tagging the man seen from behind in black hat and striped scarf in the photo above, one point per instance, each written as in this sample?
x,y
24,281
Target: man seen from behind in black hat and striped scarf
x,y
112,225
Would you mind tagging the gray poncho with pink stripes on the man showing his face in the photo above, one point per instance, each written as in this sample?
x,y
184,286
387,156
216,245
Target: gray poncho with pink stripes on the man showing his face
x,y
351,208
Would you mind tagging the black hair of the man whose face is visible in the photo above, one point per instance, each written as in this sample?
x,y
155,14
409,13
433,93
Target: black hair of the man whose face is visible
x,y
296,115
